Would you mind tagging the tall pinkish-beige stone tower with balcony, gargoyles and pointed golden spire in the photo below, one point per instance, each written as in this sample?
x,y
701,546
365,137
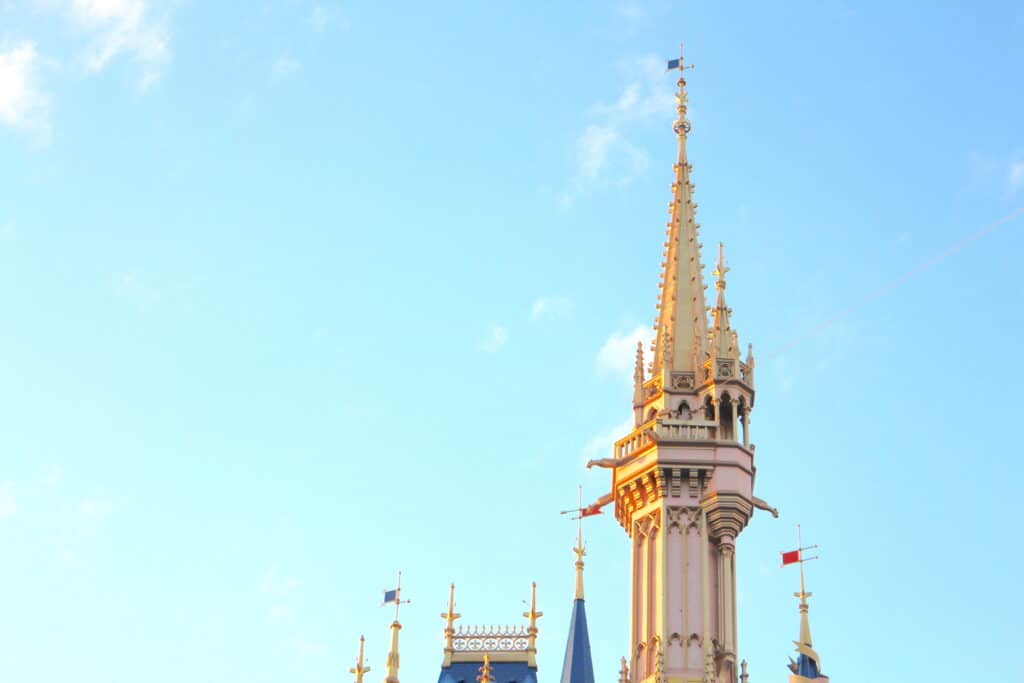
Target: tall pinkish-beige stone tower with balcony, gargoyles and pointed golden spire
x,y
684,479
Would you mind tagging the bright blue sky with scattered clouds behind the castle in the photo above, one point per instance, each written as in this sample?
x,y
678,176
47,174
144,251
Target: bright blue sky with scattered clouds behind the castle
x,y
296,295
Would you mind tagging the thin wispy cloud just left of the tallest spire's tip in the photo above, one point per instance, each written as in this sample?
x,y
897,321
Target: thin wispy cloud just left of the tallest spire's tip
x,y
605,154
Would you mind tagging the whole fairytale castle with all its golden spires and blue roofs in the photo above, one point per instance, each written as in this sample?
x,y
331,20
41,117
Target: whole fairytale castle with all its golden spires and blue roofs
x,y
682,489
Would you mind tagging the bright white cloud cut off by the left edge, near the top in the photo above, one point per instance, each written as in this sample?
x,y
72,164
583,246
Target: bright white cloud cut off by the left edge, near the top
x,y
23,106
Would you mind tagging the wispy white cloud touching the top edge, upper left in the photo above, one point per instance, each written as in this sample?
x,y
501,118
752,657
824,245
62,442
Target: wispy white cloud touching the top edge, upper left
x,y
115,28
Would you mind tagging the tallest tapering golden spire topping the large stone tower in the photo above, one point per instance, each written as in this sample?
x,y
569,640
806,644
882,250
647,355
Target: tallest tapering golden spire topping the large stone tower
x,y
681,333
